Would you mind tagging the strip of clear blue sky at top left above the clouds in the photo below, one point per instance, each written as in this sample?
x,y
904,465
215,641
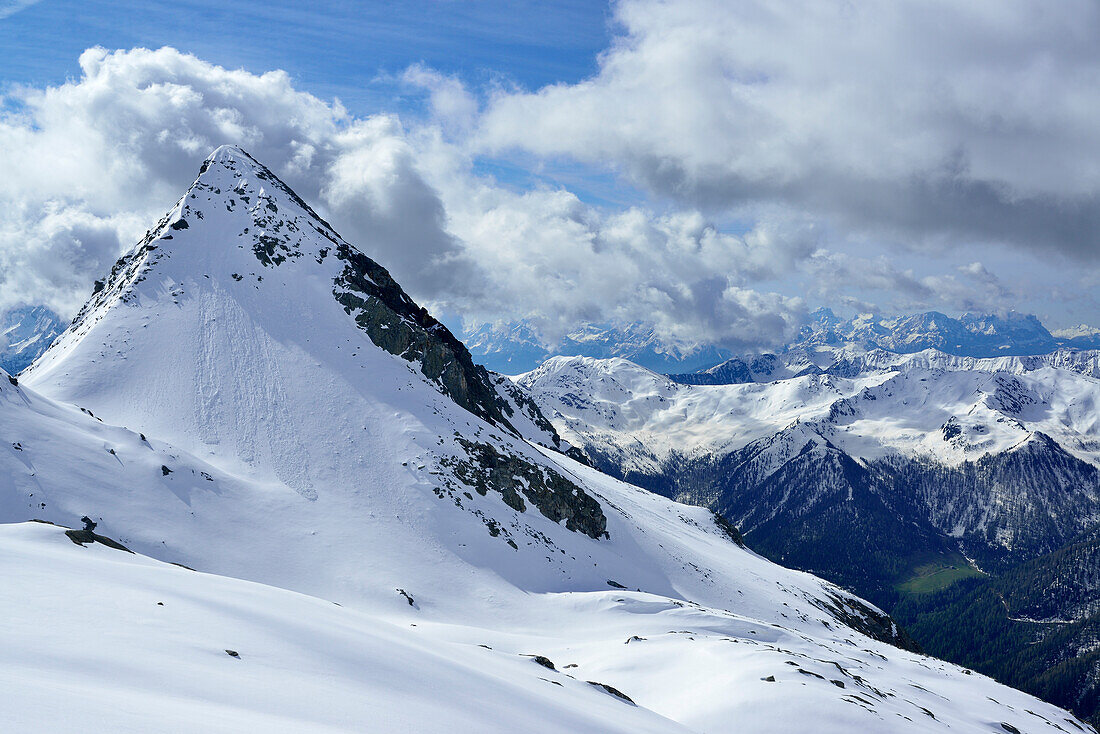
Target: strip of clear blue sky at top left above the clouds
x,y
346,50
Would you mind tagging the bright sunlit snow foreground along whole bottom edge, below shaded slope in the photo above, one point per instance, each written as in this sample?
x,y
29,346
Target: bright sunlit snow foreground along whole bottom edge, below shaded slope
x,y
138,645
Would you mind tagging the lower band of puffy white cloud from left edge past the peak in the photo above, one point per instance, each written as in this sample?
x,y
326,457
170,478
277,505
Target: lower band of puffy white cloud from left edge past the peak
x,y
102,157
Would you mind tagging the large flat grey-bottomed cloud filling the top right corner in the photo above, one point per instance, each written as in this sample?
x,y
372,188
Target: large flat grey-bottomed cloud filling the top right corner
x,y
925,123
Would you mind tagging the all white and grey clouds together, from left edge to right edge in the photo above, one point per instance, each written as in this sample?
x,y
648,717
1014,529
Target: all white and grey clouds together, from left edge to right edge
x,y
843,139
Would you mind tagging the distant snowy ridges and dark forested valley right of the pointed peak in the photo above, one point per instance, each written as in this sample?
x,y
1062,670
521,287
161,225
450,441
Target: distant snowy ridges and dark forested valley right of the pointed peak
x,y
961,494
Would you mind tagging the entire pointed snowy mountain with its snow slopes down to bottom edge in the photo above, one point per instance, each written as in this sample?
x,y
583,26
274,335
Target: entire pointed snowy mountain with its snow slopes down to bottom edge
x,y
293,420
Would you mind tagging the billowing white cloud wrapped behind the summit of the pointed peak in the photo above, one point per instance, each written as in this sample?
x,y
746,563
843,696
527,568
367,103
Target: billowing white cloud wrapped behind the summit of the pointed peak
x,y
101,157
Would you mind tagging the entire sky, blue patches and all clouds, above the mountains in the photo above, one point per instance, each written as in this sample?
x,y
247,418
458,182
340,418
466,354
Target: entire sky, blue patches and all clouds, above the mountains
x,y
714,169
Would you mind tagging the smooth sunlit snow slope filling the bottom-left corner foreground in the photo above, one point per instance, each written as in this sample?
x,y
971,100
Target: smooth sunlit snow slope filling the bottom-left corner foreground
x,y
136,645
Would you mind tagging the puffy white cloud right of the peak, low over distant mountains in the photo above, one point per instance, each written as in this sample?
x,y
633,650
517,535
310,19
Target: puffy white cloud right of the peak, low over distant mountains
x,y
562,262
